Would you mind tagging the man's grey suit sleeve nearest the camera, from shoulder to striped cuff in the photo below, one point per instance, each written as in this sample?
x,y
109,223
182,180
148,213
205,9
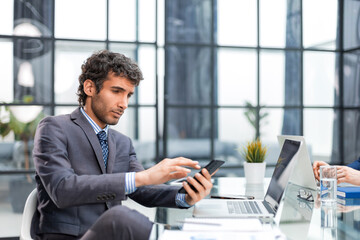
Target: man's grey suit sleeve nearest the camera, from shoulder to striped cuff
x,y
57,173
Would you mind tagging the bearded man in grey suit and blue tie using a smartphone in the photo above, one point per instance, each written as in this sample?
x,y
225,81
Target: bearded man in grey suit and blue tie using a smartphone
x,y
84,169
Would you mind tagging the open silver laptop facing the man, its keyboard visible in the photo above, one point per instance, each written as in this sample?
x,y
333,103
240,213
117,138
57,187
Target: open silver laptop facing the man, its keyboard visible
x,y
219,208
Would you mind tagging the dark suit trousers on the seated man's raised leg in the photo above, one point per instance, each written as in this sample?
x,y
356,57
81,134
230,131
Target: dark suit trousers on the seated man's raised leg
x,y
120,222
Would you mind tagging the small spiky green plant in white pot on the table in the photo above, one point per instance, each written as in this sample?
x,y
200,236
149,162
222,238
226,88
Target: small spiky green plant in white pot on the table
x,y
254,161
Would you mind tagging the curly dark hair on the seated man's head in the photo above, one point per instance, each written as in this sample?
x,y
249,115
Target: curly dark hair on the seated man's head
x,y
100,64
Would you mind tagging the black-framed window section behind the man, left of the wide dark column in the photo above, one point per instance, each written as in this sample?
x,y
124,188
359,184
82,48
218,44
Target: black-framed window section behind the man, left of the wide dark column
x,y
43,44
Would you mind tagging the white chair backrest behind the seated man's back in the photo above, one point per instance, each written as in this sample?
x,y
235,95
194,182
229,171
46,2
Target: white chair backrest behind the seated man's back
x,y
29,210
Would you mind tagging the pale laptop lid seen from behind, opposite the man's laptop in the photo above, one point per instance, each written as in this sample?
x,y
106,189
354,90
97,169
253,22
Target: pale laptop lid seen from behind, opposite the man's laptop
x,y
304,174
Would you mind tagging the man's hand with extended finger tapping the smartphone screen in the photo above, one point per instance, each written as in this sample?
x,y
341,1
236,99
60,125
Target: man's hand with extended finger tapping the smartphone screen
x,y
165,170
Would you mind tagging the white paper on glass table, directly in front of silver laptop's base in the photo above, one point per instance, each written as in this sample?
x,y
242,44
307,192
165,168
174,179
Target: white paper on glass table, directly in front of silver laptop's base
x,y
222,224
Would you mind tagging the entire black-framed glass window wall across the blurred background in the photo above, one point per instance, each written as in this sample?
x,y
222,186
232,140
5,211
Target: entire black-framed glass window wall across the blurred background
x,y
218,73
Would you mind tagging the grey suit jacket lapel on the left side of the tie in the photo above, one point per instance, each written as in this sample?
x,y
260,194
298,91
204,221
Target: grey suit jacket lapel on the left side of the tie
x,y
82,122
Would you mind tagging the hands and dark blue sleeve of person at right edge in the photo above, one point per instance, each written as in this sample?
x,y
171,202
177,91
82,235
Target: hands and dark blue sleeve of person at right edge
x,y
349,173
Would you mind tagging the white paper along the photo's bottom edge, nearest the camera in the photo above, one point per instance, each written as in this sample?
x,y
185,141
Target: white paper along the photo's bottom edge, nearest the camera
x,y
191,235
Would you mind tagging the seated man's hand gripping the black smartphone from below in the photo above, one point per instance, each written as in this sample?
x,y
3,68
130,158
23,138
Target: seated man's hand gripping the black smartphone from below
x,y
203,188
